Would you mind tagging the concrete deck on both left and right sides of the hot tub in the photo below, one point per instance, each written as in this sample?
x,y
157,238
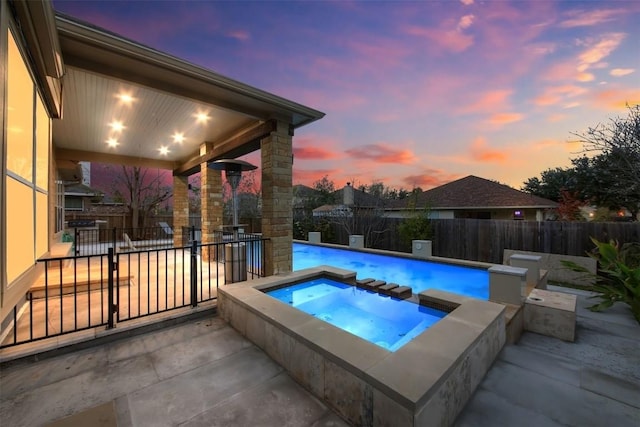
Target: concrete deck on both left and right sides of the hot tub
x,y
201,372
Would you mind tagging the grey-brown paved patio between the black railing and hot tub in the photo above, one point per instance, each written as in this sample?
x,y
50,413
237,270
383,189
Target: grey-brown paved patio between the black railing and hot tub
x,y
197,373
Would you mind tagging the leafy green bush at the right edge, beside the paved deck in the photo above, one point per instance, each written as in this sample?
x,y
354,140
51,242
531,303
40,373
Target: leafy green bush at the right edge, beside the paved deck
x,y
618,276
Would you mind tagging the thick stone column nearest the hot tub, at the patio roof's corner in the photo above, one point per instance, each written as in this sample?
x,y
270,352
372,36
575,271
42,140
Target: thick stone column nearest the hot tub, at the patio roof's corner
x,y
277,216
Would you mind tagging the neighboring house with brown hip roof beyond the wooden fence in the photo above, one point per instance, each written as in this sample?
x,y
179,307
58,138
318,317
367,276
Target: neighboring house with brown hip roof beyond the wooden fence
x,y
474,197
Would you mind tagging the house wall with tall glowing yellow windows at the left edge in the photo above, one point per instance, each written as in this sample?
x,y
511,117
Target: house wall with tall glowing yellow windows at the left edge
x,y
26,161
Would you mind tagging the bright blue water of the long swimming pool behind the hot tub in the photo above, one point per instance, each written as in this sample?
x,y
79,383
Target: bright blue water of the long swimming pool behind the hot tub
x,y
419,275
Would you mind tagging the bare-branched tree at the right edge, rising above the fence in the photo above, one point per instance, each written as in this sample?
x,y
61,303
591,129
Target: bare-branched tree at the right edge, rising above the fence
x,y
610,167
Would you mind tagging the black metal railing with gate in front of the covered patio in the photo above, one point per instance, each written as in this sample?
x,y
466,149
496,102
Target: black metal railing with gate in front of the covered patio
x,y
84,292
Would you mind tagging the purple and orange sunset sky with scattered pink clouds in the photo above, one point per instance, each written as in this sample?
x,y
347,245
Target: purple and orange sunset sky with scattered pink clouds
x,y
416,93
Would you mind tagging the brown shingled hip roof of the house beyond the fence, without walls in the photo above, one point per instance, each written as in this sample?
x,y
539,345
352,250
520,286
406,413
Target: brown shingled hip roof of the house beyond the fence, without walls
x,y
473,192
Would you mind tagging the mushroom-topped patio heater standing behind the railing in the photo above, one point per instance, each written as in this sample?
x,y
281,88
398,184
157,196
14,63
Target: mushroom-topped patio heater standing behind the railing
x,y
235,255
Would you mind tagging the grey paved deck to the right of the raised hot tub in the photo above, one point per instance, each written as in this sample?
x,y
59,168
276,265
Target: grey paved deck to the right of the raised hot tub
x,y
543,381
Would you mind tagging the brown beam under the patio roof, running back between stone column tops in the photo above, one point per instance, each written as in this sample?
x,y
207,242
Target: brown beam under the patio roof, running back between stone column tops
x,y
236,146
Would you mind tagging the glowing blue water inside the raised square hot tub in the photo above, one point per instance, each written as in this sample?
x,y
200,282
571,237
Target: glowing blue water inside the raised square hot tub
x,y
384,321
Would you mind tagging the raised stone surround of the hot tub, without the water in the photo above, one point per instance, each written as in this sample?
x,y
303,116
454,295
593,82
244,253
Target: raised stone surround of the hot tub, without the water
x,y
425,382
